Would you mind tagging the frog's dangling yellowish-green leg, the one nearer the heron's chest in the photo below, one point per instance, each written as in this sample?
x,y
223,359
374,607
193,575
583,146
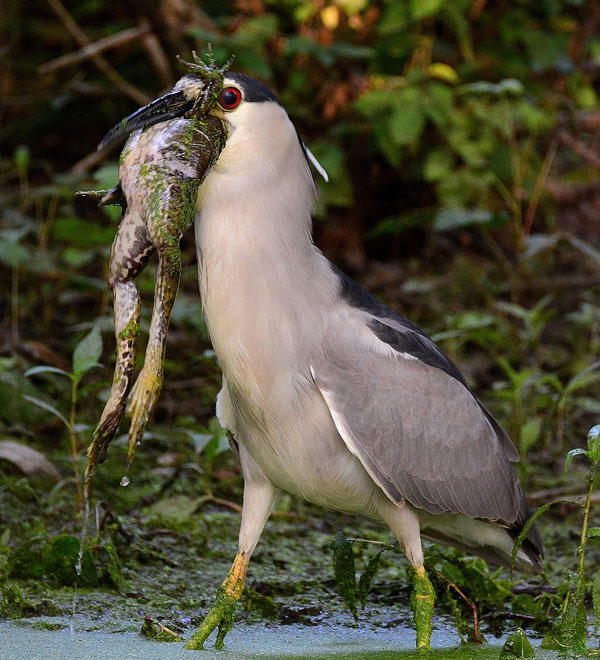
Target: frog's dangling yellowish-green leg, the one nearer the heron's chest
x,y
166,228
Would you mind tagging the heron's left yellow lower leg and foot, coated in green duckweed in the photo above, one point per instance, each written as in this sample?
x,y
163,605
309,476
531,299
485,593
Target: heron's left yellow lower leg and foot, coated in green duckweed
x,y
222,611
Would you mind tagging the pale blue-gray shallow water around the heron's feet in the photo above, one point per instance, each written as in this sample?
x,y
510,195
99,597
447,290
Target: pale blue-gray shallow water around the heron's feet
x,y
23,642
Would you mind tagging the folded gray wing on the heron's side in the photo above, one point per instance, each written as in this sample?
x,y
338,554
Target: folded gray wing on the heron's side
x,y
416,428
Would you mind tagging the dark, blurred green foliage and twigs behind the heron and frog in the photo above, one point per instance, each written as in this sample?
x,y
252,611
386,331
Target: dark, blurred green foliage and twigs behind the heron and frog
x,y
461,138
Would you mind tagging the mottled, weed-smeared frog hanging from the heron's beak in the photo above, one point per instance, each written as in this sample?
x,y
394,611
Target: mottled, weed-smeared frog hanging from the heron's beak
x,y
161,170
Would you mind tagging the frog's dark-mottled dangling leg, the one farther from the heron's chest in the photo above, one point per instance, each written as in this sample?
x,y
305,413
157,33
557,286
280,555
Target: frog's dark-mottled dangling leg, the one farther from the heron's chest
x,y
131,251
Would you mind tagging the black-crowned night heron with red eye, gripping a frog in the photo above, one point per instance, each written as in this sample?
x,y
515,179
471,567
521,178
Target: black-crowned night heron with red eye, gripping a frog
x,y
327,393
